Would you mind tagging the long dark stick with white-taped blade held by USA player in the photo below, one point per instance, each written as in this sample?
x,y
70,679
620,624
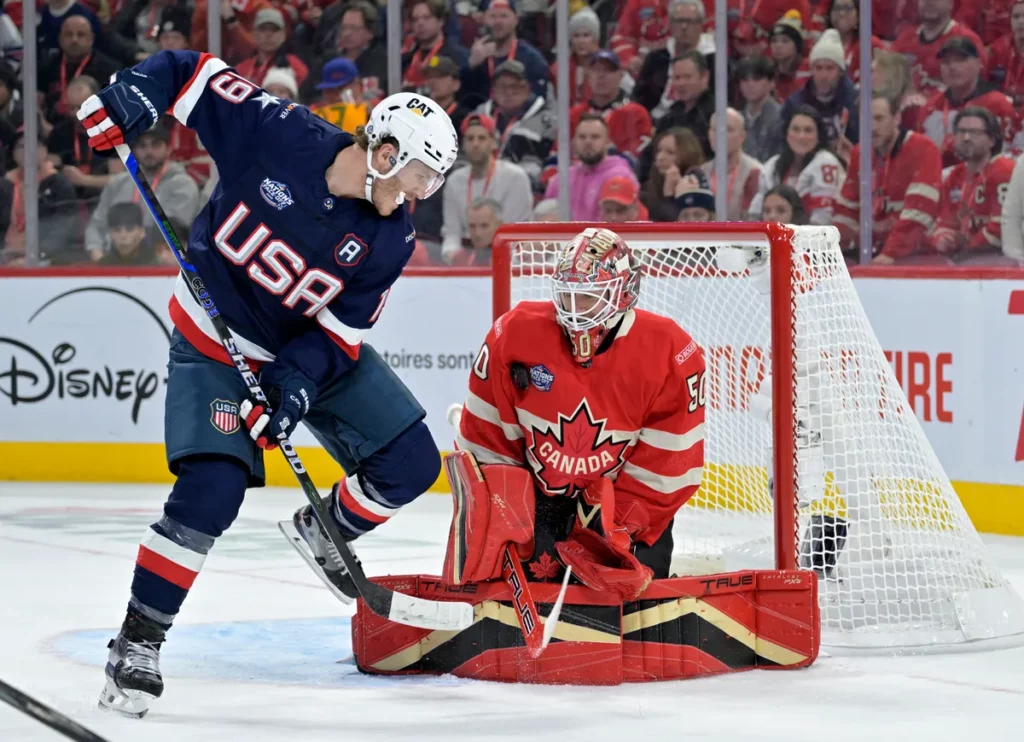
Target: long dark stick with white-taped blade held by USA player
x,y
398,607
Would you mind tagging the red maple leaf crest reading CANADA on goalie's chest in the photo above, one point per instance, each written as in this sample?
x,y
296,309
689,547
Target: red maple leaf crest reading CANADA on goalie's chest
x,y
576,454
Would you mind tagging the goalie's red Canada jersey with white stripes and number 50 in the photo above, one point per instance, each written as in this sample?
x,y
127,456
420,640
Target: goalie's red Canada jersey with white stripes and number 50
x,y
635,416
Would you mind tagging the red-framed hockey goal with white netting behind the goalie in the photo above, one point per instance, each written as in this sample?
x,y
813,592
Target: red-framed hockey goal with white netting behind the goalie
x,y
814,458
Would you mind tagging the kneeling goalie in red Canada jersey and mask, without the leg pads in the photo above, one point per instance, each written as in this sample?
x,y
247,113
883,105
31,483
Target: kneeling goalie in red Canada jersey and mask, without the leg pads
x,y
593,411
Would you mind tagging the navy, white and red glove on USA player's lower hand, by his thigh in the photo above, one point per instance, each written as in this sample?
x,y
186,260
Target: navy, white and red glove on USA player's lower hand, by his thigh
x,y
290,396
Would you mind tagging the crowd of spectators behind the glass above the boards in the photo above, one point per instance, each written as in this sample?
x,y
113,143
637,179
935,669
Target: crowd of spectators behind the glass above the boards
x,y
947,105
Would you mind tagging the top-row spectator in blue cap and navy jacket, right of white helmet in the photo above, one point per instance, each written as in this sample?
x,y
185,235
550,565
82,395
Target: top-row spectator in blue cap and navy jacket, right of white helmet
x,y
490,53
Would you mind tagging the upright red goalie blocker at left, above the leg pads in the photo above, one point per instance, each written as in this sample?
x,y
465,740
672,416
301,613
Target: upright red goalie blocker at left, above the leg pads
x,y
494,506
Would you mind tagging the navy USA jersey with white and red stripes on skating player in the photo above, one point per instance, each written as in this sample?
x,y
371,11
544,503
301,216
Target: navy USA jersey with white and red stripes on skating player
x,y
294,271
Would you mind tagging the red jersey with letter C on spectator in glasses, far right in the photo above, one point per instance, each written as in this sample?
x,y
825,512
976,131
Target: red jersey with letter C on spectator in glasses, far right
x,y
971,205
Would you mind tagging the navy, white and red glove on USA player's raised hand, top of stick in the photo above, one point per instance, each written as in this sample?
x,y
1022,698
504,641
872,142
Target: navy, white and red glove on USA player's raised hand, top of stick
x,y
119,113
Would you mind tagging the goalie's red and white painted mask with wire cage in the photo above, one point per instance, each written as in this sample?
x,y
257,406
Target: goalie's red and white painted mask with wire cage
x,y
598,280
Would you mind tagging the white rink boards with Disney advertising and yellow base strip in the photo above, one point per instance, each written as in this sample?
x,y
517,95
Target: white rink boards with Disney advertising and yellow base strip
x,y
83,368
